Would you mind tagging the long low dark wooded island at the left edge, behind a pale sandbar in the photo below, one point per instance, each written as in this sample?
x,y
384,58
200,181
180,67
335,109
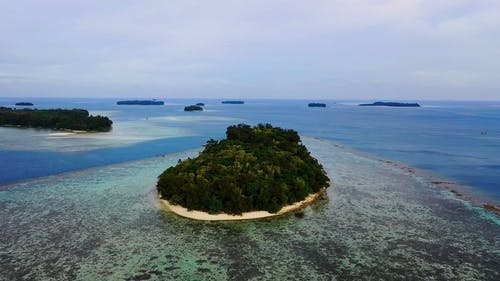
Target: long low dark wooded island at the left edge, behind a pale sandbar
x,y
57,119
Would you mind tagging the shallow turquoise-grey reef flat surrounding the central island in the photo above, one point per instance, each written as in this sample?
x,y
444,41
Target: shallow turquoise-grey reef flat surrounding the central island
x,y
378,222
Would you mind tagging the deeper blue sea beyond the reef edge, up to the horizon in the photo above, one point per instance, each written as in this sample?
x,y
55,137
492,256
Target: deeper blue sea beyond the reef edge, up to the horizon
x,y
457,140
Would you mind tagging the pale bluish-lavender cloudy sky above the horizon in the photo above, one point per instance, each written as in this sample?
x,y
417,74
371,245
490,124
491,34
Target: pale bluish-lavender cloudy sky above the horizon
x,y
322,49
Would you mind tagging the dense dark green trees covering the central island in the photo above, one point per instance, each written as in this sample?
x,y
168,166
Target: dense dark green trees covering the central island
x,y
254,168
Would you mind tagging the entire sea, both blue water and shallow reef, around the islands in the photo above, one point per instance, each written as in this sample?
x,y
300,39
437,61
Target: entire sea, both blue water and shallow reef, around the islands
x,y
84,207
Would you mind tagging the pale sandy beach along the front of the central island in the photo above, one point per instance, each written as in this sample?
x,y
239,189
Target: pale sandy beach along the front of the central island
x,y
204,216
